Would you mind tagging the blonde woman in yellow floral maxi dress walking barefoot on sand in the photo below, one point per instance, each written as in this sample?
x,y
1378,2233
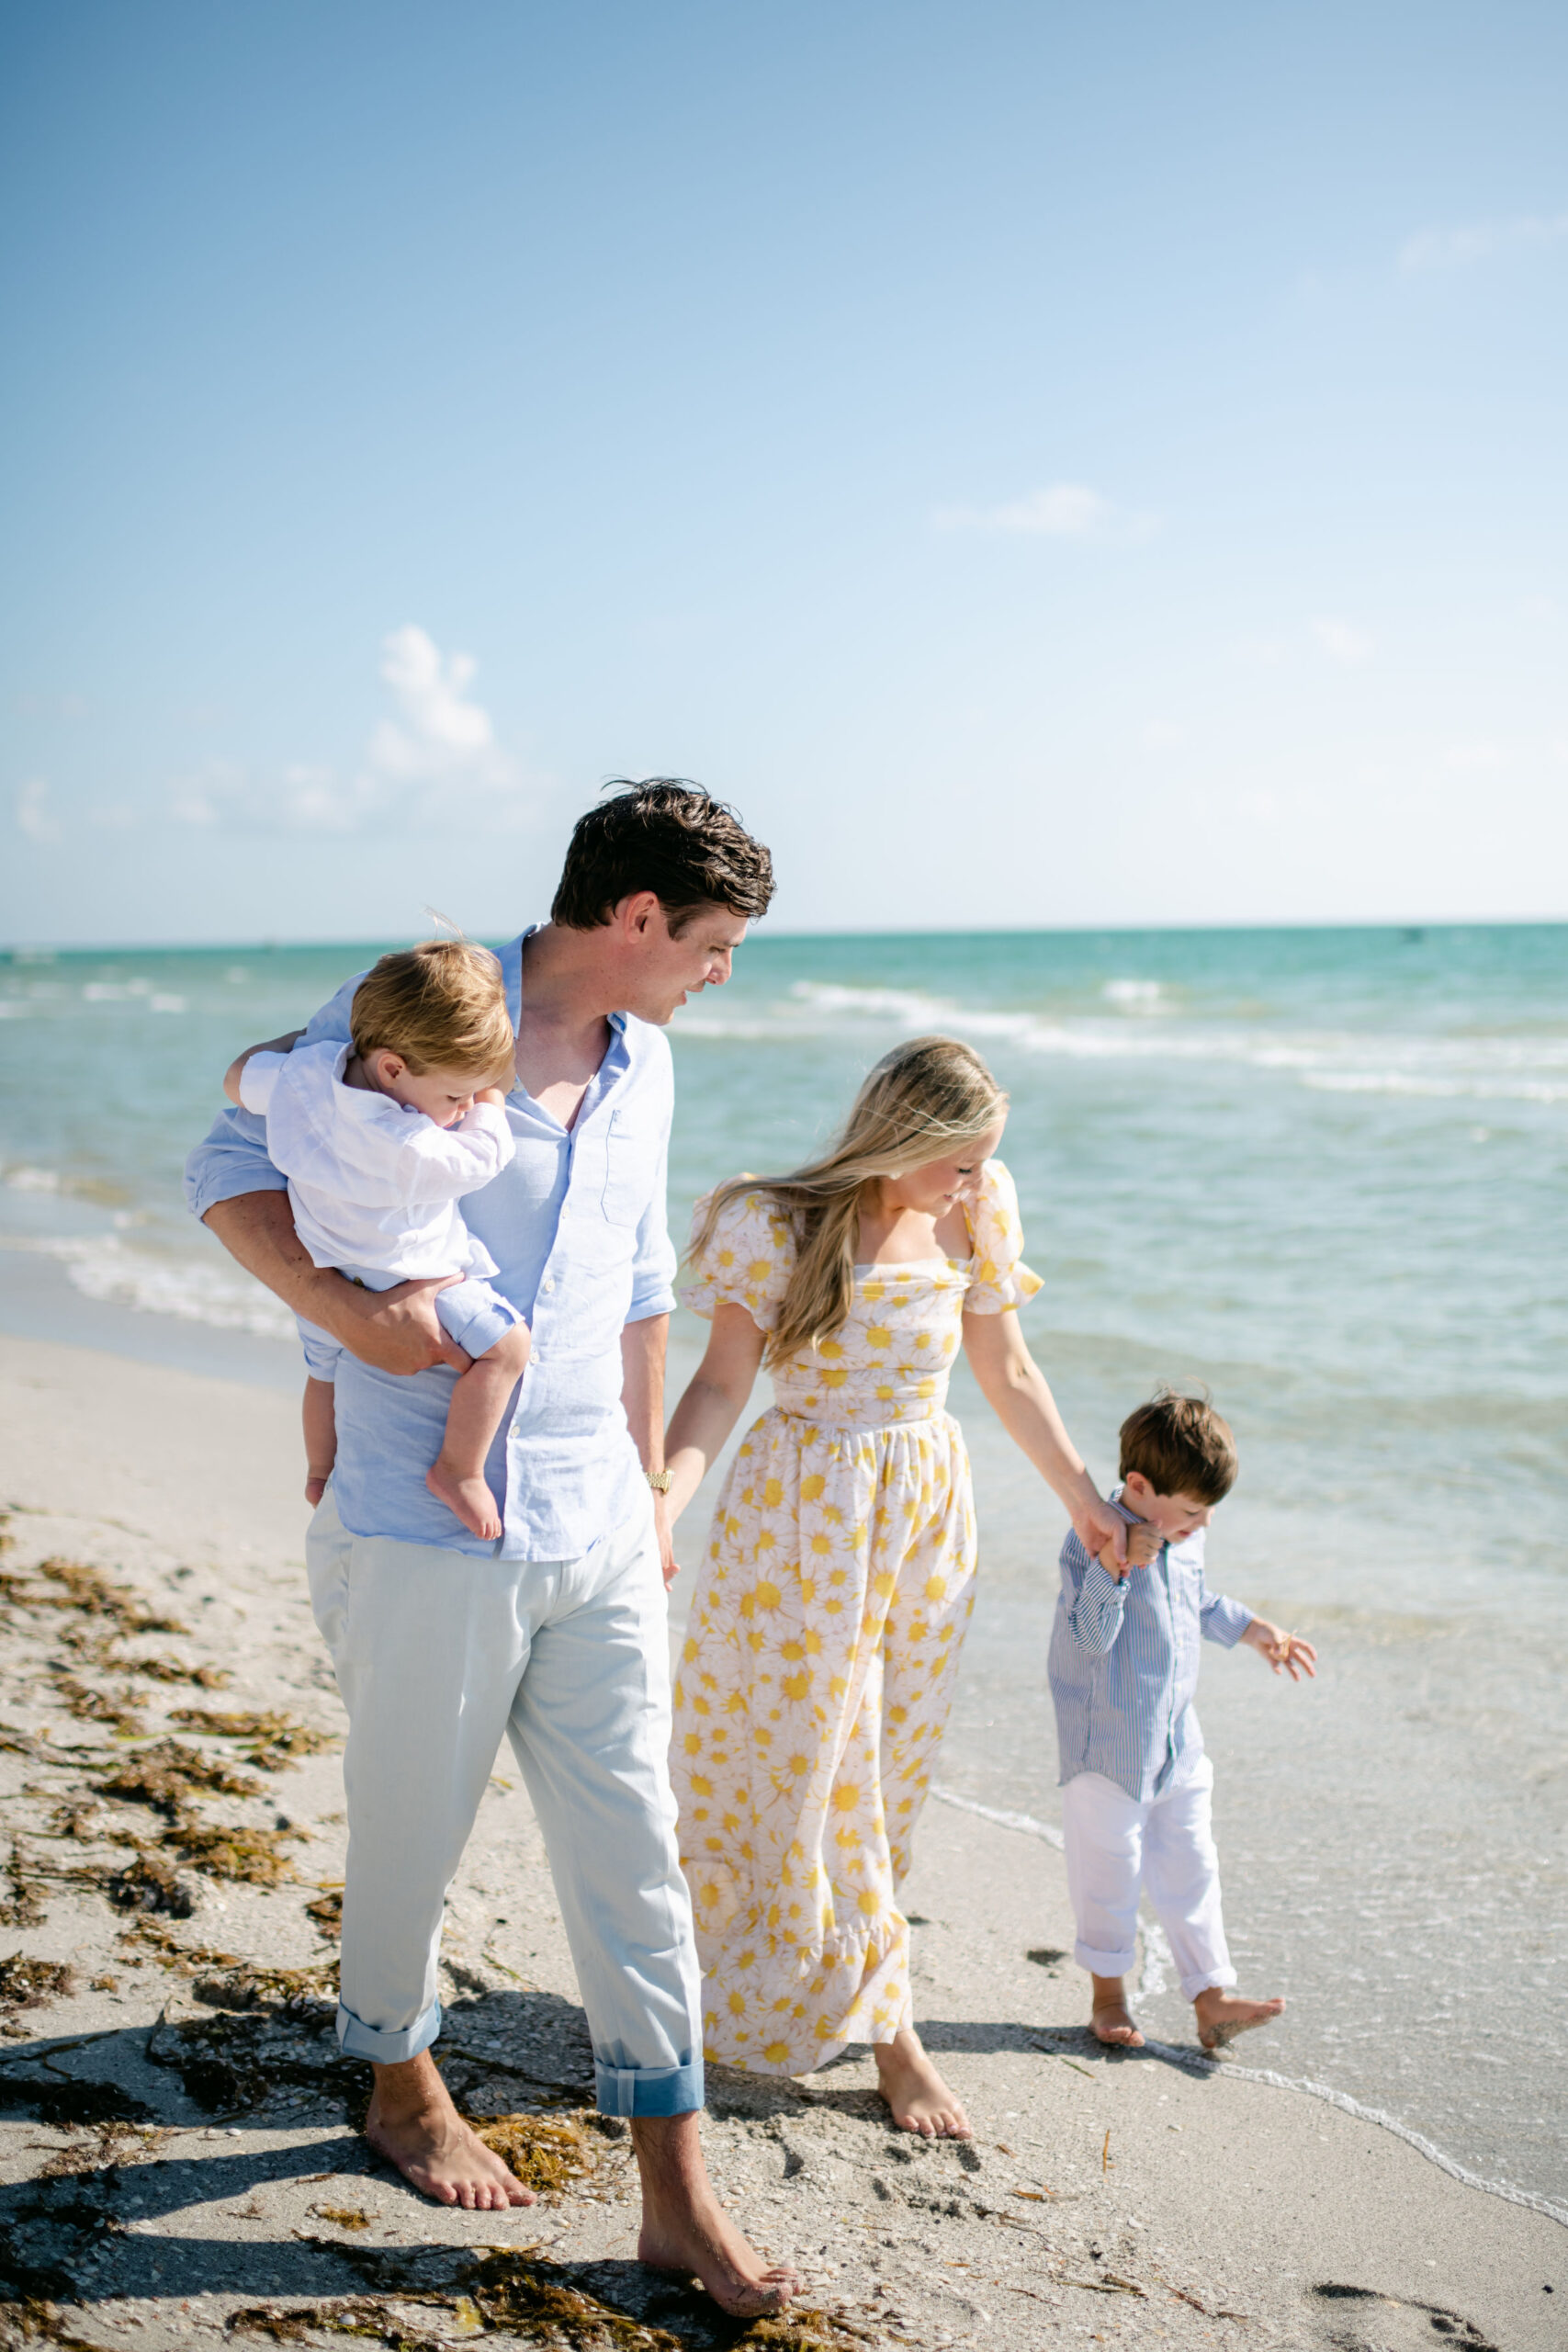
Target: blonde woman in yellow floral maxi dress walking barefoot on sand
x,y
838,1584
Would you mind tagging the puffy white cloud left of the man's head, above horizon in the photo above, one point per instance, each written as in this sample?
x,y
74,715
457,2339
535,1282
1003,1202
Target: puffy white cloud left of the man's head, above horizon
x,y
434,763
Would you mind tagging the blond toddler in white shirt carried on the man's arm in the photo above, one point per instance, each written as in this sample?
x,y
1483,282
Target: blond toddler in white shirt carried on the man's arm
x,y
380,1140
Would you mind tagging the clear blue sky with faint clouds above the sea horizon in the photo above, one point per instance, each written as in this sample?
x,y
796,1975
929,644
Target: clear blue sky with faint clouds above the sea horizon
x,y
1043,465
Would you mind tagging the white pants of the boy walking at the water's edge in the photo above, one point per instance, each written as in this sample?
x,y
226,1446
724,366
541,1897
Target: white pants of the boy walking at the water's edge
x,y
1118,1847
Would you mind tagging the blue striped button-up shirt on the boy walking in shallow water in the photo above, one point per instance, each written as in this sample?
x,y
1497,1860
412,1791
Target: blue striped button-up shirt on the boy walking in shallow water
x,y
1125,1664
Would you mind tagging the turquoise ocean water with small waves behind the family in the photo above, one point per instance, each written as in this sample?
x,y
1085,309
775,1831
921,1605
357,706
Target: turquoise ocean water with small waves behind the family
x,y
1322,1172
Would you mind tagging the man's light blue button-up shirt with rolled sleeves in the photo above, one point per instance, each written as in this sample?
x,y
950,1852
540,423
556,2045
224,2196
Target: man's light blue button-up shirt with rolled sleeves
x,y
579,1236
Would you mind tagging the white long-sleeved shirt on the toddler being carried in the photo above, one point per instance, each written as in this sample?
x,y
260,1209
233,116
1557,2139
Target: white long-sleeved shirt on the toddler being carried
x,y
375,1187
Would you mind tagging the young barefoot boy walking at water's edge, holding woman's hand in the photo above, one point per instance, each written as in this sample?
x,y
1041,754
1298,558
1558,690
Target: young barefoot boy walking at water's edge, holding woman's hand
x,y
1125,1664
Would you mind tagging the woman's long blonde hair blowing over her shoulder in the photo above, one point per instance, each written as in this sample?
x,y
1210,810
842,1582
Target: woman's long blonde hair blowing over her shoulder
x,y
925,1100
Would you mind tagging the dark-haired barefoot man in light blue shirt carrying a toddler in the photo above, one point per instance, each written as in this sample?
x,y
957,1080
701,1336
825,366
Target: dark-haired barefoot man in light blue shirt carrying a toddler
x,y
554,1636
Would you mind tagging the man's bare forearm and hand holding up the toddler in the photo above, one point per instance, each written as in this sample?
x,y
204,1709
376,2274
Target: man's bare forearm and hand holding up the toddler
x,y
391,1330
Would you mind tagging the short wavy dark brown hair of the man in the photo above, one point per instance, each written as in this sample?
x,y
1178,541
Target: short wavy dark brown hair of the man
x,y
666,836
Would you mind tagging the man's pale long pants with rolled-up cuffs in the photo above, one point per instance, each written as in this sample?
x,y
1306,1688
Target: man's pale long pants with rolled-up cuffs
x,y
438,1655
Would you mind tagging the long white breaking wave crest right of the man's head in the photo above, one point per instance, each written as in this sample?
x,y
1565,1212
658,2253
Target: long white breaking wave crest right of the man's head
x,y
1339,1062
